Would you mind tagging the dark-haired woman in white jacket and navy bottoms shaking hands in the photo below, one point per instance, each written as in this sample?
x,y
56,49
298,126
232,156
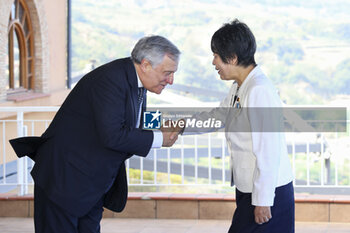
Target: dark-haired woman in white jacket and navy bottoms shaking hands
x,y
260,165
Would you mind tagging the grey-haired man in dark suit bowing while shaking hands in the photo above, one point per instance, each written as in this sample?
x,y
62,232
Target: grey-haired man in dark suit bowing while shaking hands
x,y
79,160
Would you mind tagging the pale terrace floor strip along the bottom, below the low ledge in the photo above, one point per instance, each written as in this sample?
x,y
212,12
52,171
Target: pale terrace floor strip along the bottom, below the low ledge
x,y
25,225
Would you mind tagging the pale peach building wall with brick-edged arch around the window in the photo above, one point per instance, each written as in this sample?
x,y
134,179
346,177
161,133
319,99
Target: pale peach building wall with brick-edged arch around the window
x,y
49,27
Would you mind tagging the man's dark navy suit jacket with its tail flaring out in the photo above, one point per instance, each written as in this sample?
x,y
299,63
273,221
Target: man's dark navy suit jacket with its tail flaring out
x,y
83,150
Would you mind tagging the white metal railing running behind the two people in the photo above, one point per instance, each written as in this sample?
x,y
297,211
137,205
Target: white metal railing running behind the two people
x,y
318,161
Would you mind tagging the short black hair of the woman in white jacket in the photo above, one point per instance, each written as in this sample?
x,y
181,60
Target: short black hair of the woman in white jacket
x,y
234,39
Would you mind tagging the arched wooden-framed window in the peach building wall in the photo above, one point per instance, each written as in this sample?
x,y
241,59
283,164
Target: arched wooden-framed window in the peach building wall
x,y
20,49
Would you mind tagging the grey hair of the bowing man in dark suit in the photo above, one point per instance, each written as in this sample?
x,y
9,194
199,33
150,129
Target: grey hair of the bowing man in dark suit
x,y
154,48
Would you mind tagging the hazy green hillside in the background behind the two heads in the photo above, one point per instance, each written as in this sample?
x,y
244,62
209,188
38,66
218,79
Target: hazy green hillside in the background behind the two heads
x,y
304,48
